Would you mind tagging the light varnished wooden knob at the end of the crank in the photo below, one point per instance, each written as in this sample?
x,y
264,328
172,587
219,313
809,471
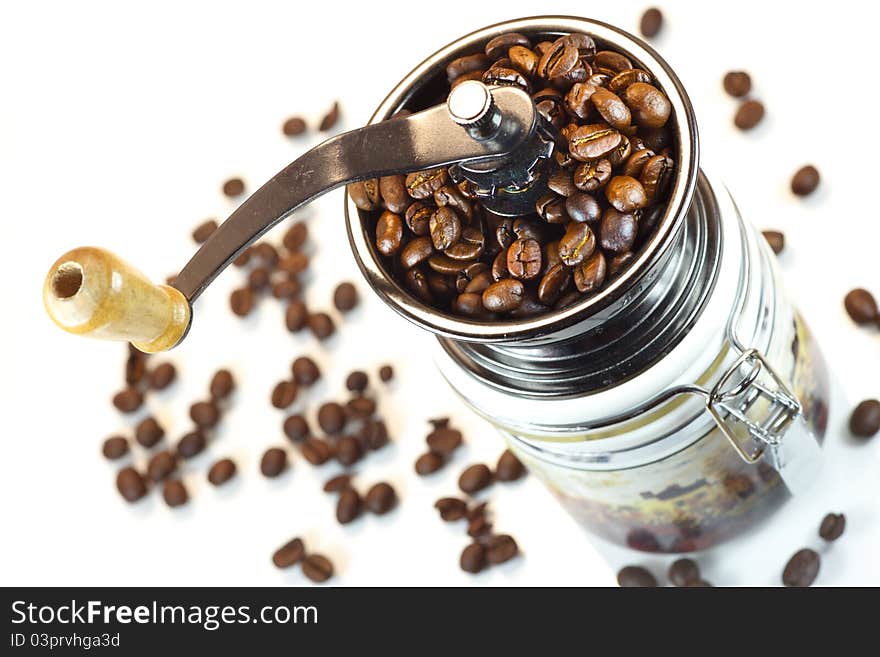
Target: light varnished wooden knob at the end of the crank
x,y
92,292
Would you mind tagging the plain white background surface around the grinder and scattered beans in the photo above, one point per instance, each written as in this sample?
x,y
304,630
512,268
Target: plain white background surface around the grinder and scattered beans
x,y
117,127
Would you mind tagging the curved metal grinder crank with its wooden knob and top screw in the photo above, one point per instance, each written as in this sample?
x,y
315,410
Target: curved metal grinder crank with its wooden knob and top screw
x,y
89,291
